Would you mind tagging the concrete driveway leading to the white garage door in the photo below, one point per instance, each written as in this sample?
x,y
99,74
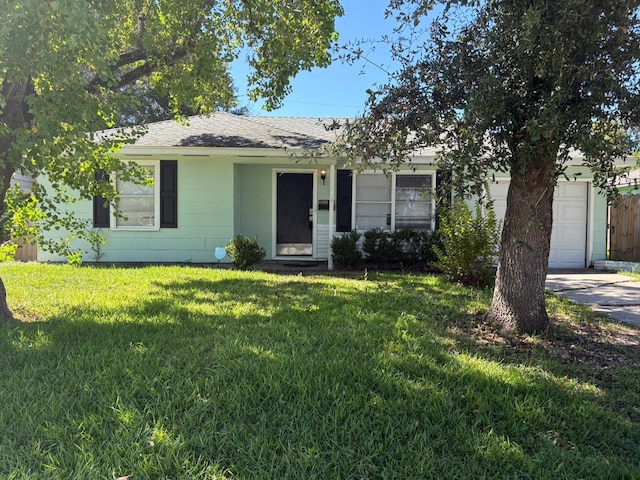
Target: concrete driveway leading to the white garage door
x,y
610,293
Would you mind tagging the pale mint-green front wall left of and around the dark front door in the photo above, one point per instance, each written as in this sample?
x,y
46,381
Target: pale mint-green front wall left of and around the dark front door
x,y
218,197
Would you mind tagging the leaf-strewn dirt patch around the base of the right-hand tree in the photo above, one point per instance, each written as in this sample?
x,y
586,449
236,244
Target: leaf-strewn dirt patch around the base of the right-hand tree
x,y
604,354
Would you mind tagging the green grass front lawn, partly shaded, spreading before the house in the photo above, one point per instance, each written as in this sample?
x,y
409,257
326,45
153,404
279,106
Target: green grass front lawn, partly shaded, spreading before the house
x,y
177,372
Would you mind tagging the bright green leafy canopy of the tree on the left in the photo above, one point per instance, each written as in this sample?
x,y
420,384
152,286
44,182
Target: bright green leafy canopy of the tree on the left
x,y
69,69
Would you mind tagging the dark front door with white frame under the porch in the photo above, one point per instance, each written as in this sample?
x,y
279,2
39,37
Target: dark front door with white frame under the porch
x,y
294,214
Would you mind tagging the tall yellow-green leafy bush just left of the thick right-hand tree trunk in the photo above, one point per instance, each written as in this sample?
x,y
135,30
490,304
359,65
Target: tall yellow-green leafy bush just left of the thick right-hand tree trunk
x,y
469,244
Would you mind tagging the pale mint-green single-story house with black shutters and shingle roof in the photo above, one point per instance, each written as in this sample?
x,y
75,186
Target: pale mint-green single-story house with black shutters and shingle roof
x,y
224,175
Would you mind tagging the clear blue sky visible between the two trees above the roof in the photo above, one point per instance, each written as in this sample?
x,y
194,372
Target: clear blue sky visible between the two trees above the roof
x,y
340,89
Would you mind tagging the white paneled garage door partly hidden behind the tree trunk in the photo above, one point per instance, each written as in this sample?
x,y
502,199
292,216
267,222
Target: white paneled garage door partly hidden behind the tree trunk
x,y
569,234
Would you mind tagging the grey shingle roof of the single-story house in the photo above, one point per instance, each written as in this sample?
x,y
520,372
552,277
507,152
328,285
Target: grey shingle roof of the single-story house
x,y
228,130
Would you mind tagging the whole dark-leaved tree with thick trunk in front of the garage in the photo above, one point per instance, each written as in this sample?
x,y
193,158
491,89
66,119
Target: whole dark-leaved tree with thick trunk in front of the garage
x,y
511,86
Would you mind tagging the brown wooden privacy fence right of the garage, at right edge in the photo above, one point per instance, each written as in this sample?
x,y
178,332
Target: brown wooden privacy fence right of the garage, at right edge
x,y
624,229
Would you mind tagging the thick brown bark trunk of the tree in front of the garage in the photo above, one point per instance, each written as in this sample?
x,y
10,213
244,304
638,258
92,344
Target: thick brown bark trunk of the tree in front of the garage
x,y
518,298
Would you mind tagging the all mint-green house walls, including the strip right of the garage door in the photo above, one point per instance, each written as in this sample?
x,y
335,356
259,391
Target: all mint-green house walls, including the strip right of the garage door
x,y
222,195
